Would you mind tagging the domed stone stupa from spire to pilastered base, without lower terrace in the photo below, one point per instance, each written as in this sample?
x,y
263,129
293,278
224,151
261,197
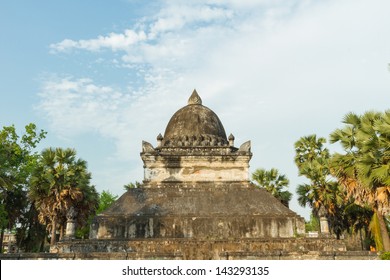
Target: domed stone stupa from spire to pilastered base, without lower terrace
x,y
196,186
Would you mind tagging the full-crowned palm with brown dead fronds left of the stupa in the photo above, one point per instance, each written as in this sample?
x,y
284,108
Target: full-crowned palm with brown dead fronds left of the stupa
x,y
60,183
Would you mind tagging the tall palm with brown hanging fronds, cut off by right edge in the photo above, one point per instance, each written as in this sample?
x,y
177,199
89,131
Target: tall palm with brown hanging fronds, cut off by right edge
x,y
364,168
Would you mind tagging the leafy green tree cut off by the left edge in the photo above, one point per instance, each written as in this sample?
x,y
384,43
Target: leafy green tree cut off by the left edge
x,y
17,158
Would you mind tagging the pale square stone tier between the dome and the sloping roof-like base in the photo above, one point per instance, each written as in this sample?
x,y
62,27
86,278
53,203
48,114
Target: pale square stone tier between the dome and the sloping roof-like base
x,y
212,164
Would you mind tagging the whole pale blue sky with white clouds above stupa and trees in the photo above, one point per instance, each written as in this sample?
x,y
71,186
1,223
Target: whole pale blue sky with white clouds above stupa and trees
x,y
101,76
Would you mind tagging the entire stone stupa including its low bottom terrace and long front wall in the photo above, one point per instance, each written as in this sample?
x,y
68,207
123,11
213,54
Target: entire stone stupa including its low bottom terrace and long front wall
x,y
197,202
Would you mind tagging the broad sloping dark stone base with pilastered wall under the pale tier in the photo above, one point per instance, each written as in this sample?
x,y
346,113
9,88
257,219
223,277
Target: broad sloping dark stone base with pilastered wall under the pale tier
x,y
208,210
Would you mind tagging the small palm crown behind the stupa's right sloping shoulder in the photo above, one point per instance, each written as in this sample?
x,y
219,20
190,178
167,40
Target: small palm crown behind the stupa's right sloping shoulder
x,y
274,183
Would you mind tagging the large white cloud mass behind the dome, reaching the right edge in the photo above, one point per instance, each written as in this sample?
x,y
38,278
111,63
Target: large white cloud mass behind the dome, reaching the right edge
x,y
272,71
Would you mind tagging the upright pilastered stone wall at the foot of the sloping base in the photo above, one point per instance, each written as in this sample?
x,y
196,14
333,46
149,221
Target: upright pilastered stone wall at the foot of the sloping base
x,y
199,227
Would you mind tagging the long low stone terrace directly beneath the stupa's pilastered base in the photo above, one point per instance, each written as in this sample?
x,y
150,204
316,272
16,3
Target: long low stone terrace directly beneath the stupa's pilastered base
x,y
205,248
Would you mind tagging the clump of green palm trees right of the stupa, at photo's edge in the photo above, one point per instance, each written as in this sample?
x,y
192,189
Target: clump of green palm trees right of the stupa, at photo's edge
x,y
351,189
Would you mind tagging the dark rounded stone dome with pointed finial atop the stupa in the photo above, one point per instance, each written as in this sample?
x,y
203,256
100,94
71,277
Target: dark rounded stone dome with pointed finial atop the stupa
x,y
195,125
